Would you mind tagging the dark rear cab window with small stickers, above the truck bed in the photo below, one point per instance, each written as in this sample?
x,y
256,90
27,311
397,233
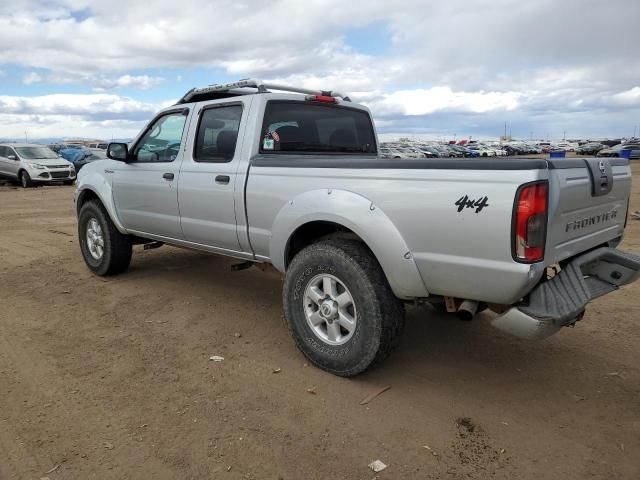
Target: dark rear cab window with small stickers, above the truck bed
x,y
316,128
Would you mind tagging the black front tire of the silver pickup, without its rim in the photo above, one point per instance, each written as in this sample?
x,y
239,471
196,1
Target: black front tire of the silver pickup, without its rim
x,y
117,249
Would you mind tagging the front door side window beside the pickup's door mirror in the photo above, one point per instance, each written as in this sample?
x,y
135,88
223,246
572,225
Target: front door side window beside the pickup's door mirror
x,y
162,141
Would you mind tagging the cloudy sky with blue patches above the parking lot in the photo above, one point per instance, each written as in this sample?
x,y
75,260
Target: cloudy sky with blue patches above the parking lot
x,y
438,68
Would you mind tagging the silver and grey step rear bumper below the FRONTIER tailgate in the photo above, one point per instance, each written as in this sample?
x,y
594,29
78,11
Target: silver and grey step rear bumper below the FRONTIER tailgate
x,y
558,302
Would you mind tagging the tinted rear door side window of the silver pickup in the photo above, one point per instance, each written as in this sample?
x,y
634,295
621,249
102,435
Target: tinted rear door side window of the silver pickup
x,y
217,134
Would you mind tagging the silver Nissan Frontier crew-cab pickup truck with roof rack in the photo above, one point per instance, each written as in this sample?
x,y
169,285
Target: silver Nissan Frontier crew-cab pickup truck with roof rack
x,y
291,177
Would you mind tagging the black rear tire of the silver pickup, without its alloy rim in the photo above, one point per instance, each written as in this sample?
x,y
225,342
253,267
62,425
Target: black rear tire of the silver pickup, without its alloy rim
x,y
379,317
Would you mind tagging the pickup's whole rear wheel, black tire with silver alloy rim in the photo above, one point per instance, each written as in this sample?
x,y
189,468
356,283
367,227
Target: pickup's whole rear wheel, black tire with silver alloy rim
x,y
339,307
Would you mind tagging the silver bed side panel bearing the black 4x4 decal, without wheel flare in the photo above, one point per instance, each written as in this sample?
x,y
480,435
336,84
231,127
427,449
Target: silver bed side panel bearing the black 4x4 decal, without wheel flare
x,y
457,253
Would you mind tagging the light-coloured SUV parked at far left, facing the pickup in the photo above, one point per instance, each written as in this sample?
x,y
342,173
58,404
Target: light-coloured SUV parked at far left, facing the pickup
x,y
32,164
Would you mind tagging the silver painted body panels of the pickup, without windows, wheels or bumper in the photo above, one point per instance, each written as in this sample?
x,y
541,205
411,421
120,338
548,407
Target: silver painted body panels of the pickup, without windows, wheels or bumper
x,y
407,217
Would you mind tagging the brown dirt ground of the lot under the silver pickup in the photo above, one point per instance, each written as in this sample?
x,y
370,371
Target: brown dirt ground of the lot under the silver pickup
x,y
111,378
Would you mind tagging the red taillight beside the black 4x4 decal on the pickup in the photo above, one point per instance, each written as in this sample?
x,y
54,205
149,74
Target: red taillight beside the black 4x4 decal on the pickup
x,y
530,222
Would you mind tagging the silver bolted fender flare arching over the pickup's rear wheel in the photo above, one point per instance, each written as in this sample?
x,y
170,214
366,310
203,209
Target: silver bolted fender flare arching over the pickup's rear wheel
x,y
359,215
